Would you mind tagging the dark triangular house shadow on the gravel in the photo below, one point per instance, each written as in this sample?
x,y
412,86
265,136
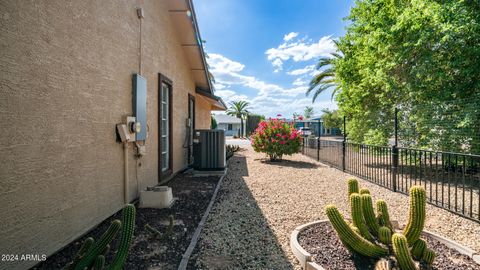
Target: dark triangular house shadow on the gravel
x,y
237,234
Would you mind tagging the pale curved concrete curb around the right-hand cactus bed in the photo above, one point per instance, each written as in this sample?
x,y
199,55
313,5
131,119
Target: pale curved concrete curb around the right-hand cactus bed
x,y
305,258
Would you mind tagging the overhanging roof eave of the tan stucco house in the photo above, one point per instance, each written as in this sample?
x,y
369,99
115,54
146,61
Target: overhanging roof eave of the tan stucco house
x,y
182,14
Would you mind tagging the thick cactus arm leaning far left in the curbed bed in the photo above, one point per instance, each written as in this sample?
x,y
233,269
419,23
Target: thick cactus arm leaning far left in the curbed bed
x,y
354,240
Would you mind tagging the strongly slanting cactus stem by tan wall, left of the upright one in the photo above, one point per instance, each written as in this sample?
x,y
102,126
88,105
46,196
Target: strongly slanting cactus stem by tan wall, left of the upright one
x,y
99,246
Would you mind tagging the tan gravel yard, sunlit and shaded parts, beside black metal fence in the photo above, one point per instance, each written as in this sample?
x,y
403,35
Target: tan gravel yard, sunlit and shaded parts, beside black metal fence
x,y
260,203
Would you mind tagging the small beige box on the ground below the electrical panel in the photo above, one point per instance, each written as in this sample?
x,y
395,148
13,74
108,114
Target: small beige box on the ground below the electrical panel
x,y
156,197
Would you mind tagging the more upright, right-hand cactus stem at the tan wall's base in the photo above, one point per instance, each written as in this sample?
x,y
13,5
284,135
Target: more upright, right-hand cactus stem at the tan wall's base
x,y
128,226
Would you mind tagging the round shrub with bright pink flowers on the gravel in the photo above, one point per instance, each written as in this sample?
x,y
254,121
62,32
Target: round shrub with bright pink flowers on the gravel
x,y
276,138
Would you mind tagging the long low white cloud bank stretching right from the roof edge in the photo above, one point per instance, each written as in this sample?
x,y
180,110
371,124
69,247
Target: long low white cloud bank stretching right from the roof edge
x,y
269,100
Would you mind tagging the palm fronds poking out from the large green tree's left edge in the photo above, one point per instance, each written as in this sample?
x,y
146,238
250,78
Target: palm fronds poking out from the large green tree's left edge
x,y
326,78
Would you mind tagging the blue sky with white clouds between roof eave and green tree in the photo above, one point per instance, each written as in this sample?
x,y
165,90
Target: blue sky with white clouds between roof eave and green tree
x,y
264,51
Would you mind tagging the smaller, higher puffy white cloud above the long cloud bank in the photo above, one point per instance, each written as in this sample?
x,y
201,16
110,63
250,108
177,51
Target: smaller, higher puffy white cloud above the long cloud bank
x,y
300,50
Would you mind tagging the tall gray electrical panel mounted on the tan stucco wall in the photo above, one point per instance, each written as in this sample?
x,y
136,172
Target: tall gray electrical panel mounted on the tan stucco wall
x,y
140,105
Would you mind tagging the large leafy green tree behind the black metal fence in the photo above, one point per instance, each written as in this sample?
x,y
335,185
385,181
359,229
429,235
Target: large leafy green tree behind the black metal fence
x,y
420,56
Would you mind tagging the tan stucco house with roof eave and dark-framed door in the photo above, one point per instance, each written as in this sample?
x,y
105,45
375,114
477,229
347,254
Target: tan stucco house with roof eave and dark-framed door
x,y
65,82
